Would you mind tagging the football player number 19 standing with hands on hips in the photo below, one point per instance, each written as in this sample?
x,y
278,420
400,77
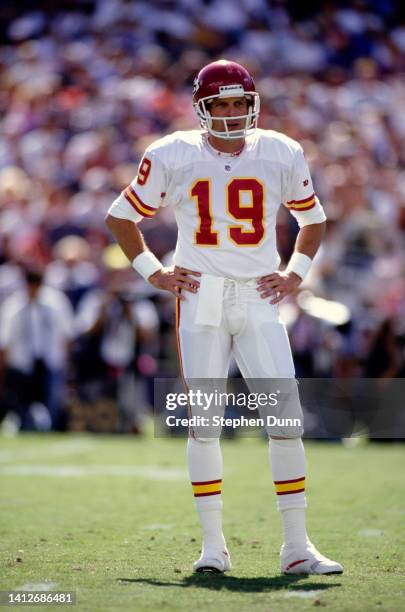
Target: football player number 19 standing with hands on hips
x,y
225,183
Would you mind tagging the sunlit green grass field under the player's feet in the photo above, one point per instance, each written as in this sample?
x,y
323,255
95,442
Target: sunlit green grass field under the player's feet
x,y
112,518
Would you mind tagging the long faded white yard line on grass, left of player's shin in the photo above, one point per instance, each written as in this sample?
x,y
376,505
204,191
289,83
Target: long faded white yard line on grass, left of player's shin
x,y
149,472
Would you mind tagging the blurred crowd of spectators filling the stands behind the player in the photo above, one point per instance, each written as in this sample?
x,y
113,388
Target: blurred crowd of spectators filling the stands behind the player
x,y
85,86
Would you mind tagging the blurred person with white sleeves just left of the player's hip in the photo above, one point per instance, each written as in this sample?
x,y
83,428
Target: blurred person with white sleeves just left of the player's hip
x,y
117,339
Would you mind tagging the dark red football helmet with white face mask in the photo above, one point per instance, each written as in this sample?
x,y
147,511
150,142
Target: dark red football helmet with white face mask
x,y
223,79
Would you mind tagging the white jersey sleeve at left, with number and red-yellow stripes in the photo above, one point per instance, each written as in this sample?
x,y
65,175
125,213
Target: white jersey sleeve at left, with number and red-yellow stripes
x,y
145,194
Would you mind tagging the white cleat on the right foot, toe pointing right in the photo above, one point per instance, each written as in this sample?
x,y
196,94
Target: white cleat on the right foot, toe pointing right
x,y
307,561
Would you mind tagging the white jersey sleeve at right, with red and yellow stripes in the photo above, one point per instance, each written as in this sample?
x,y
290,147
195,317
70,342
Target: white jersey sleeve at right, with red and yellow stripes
x,y
301,200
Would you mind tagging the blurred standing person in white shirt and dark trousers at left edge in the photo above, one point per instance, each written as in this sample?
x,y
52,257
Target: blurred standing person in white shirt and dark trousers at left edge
x,y
36,326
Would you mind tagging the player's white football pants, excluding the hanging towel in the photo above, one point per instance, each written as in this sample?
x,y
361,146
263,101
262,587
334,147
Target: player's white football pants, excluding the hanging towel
x,y
252,332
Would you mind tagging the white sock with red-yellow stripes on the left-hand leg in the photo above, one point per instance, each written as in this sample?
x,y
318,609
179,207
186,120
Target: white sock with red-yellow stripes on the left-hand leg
x,y
205,469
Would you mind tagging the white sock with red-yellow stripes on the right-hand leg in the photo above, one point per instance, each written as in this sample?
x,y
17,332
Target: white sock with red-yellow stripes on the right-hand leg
x,y
288,469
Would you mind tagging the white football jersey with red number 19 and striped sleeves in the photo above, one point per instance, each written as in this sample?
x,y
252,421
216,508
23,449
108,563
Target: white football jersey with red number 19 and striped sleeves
x,y
225,205
